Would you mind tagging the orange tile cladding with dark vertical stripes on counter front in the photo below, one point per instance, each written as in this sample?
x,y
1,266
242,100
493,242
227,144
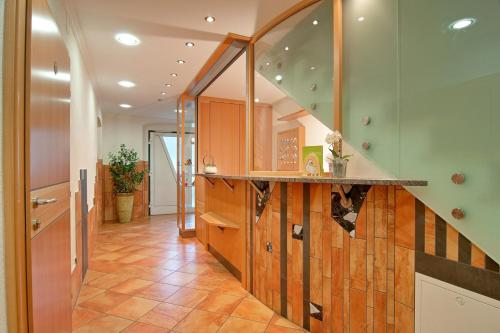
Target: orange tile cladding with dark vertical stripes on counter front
x,y
327,281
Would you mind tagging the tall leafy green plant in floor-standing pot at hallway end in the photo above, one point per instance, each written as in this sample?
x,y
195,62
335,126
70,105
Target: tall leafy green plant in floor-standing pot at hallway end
x,y
126,177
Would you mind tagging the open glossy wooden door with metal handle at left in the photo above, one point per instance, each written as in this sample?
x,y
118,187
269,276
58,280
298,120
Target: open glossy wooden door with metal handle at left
x,y
48,212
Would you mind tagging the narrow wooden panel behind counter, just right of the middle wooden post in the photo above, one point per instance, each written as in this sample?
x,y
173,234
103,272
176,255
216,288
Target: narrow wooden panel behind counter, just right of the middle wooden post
x,y
263,136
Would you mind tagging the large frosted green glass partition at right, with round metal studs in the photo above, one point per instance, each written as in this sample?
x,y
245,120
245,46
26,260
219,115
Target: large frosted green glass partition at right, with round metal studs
x,y
430,85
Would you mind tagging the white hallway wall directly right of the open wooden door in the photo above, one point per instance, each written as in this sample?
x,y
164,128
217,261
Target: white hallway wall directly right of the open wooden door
x,y
84,140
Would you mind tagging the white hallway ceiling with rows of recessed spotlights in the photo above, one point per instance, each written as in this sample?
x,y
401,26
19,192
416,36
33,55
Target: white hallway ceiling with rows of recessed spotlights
x,y
163,26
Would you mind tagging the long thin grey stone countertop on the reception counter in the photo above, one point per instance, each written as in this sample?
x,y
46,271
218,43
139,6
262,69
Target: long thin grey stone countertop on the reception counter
x,y
290,178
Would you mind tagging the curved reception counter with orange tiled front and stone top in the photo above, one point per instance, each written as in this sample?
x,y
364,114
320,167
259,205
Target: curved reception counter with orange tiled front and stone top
x,y
333,254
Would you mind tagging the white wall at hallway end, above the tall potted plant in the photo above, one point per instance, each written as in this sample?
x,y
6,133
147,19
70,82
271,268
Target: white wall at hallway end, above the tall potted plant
x,y
131,131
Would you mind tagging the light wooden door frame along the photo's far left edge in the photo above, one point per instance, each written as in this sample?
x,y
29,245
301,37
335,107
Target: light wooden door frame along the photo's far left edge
x,y
14,161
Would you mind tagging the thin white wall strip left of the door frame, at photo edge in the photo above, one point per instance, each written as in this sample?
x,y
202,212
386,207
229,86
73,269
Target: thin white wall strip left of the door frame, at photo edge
x,y
3,300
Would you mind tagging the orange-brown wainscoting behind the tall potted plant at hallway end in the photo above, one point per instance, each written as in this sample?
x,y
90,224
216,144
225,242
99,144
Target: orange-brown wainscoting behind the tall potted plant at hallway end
x,y
141,196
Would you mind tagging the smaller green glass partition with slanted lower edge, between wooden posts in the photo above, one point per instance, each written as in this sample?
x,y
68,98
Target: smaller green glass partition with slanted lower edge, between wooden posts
x,y
296,57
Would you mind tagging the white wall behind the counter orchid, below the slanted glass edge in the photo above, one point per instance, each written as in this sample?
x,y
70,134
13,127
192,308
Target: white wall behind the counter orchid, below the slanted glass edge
x,y
315,133
